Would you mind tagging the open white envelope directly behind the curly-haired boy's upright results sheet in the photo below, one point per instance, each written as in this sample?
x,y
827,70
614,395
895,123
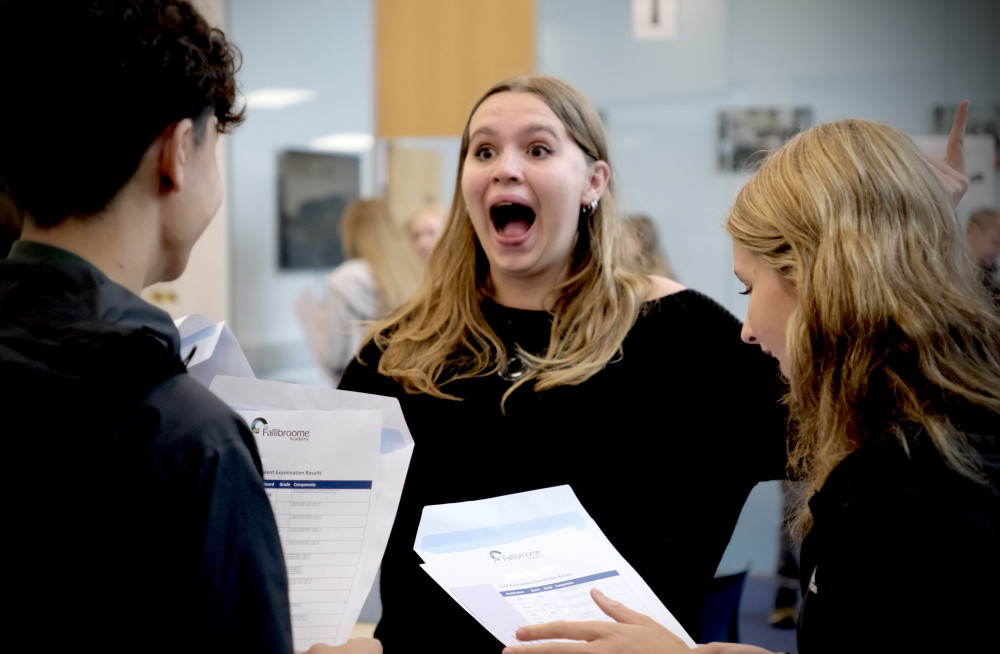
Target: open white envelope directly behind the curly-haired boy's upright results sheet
x,y
395,445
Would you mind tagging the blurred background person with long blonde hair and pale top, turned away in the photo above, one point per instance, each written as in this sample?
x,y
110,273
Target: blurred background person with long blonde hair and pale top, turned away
x,y
380,273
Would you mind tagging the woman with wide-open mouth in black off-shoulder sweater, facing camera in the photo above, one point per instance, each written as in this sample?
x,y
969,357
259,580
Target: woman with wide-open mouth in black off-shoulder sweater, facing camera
x,y
531,356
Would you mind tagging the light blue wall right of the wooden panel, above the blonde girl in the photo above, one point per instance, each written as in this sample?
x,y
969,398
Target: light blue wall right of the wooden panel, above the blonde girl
x,y
886,60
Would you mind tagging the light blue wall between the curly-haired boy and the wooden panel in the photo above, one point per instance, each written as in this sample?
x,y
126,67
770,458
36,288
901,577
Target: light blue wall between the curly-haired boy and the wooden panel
x,y
310,44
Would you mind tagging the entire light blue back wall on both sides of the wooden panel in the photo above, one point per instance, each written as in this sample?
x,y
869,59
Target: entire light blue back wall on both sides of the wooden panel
x,y
887,60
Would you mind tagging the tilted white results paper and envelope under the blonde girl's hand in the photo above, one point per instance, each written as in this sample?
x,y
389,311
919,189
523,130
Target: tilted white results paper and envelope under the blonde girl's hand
x,y
529,558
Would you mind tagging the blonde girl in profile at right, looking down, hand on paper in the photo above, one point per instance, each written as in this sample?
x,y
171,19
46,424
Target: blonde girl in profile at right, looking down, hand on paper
x,y
861,286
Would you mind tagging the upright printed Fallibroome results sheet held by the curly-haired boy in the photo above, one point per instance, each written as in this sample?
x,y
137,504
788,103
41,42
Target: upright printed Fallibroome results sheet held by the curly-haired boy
x,y
320,472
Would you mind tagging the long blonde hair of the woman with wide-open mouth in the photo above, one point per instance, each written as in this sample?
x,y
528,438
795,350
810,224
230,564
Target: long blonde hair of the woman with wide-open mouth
x,y
441,334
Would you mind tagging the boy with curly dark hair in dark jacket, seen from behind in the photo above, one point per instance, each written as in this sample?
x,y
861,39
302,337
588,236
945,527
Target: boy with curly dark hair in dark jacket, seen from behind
x,y
141,520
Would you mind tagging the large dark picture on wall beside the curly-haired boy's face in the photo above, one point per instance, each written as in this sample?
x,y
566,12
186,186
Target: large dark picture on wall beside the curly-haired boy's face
x,y
313,191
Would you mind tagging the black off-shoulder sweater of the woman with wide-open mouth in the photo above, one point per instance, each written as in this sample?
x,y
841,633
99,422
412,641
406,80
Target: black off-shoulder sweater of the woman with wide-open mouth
x,y
662,448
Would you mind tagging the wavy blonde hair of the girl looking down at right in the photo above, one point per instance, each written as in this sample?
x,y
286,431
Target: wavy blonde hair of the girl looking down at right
x,y
892,331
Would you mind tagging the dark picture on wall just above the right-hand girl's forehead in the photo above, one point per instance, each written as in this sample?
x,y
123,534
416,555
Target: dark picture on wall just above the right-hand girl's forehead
x,y
747,135
